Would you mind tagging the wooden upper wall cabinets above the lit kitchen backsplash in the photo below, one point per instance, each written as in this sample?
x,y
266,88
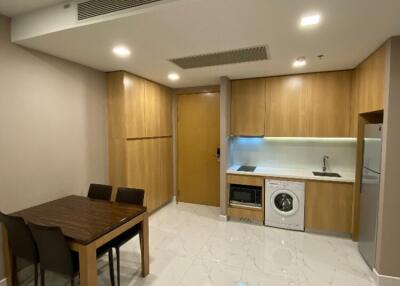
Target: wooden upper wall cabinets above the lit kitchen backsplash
x,y
312,105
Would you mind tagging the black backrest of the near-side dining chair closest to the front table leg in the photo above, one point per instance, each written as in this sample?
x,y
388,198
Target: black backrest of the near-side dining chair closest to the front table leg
x,y
54,252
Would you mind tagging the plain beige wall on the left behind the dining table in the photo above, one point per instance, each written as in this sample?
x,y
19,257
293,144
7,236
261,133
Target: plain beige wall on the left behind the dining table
x,y
52,126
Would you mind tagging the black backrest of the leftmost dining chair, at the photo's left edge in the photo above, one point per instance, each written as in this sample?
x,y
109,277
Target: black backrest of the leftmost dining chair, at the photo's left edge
x,y
20,237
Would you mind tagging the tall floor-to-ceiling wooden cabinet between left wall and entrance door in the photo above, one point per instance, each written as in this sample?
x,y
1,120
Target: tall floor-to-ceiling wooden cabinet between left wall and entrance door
x,y
140,137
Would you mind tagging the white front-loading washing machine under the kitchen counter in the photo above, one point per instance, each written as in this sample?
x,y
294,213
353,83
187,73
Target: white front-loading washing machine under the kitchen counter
x,y
284,204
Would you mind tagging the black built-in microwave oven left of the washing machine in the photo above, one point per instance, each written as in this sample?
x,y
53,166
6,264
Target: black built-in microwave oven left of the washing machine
x,y
242,195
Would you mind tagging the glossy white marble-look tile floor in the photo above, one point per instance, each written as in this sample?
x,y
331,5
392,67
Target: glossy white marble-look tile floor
x,y
189,245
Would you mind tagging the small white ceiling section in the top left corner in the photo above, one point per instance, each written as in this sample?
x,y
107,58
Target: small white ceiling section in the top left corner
x,y
12,8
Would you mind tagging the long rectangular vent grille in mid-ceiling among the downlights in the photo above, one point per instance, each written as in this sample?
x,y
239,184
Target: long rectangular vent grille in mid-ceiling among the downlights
x,y
258,53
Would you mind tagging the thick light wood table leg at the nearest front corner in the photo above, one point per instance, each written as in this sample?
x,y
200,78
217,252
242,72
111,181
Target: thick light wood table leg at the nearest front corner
x,y
88,265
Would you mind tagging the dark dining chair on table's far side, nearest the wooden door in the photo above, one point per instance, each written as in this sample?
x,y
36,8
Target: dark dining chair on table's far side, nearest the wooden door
x,y
129,196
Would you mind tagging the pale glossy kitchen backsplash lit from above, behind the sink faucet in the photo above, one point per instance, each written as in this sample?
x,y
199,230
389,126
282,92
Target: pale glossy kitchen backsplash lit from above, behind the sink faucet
x,y
294,153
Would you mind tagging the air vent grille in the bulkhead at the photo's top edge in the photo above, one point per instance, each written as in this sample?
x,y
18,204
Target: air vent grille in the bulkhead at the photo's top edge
x,y
93,8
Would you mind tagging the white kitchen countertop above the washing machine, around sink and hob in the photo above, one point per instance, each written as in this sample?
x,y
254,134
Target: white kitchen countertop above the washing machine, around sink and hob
x,y
347,177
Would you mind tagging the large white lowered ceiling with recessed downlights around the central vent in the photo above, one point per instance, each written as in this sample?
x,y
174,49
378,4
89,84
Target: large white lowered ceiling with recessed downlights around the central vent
x,y
350,30
